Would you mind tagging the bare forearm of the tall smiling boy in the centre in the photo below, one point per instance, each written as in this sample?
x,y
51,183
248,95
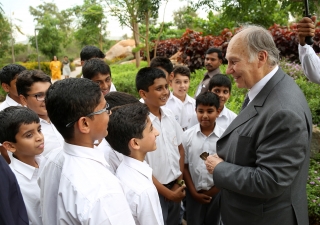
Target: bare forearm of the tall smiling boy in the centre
x,y
176,195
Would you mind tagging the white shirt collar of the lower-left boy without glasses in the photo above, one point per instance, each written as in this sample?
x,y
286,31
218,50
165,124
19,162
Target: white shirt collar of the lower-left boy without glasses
x,y
25,169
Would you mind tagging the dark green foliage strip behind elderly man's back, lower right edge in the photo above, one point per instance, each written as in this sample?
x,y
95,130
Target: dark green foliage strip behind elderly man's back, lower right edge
x,y
313,190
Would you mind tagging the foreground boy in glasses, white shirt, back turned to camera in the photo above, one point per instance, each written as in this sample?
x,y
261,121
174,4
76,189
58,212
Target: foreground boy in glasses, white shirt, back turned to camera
x,y
87,192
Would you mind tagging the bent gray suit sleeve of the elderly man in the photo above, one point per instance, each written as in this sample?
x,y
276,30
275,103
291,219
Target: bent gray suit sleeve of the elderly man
x,y
279,155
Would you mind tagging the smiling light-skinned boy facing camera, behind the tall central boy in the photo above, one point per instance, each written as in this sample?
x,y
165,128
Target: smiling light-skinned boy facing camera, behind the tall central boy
x,y
179,102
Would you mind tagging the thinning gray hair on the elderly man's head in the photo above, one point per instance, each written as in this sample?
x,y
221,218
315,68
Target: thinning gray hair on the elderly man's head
x,y
259,39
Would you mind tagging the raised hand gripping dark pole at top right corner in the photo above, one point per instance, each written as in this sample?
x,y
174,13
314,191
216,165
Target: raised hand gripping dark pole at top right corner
x,y
306,28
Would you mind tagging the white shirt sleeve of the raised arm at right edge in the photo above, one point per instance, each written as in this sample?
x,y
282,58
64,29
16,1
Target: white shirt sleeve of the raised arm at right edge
x,y
310,63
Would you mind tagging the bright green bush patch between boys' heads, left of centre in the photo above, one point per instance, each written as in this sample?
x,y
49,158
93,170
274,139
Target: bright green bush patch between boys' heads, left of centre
x,y
123,77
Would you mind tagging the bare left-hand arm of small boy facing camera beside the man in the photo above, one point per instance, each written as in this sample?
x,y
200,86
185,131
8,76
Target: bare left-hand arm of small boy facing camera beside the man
x,y
200,197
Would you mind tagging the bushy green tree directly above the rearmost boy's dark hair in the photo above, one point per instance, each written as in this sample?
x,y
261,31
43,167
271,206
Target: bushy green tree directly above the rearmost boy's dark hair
x,y
92,23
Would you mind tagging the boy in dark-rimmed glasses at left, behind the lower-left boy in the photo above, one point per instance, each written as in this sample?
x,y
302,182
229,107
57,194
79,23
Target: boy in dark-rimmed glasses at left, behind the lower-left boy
x,y
32,86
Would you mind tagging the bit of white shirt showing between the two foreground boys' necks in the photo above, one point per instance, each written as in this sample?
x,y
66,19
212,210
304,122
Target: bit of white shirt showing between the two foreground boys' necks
x,y
112,157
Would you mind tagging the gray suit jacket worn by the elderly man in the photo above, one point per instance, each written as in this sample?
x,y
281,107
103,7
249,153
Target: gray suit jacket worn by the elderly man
x,y
266,151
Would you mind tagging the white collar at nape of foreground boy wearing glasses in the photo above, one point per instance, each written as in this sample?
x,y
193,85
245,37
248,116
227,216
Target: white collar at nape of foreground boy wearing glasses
x,y
95,154
